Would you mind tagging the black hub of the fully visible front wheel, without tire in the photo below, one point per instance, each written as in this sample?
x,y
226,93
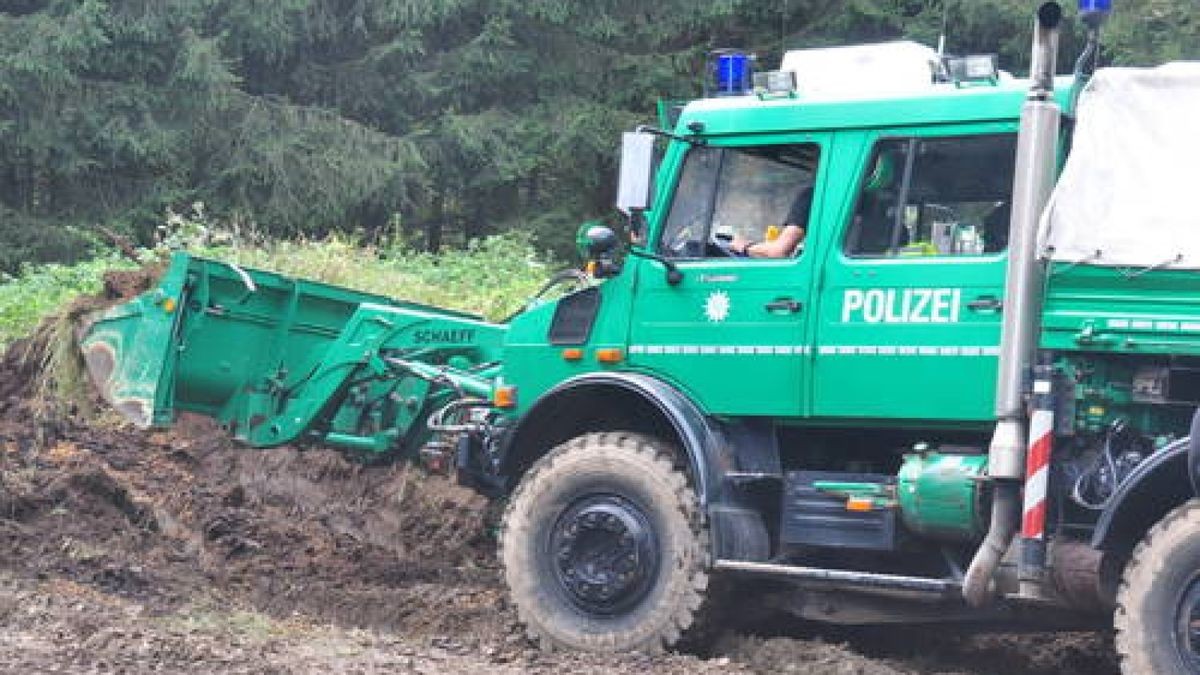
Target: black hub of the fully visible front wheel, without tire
x,y
605,554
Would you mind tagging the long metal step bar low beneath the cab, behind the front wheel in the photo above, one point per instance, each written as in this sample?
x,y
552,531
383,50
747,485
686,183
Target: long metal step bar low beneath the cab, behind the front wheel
x,y
848,581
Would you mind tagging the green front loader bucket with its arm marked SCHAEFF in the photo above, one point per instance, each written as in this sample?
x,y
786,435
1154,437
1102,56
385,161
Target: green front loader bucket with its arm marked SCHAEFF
x,y
280,360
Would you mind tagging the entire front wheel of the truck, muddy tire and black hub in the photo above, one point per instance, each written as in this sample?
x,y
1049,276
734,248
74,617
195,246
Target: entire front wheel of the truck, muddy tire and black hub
x,y
604,547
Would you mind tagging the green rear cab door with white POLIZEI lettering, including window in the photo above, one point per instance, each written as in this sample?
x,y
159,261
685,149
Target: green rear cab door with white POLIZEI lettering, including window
x,y
909,324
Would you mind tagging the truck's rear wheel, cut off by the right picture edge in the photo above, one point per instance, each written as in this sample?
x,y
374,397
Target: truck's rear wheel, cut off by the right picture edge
x,y
1159,605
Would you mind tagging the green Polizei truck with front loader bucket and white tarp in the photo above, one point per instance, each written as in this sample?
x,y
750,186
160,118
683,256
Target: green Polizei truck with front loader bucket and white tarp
x,y
970,393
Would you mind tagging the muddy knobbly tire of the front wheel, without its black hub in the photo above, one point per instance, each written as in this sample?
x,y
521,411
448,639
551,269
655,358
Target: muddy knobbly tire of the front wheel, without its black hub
x,y
643,470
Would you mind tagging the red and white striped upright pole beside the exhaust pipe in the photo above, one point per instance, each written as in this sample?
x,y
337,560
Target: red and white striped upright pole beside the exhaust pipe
x,y
1037,476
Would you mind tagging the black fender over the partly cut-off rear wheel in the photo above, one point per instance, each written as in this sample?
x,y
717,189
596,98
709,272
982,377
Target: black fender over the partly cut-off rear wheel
x,y
1162,482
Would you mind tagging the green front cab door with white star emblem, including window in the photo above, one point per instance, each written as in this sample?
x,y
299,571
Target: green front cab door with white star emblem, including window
x,y
734,332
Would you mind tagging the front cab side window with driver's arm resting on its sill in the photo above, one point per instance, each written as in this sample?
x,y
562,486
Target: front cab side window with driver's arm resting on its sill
x,y
745,194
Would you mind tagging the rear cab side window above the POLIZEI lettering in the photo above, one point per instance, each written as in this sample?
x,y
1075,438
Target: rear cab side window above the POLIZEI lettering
x,y
935,198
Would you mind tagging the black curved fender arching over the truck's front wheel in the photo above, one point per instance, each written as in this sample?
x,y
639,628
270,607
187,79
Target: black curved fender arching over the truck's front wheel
x,y
577,407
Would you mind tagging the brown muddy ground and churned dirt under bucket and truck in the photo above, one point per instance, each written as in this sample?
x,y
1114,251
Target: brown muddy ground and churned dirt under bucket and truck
x,y
133,552
